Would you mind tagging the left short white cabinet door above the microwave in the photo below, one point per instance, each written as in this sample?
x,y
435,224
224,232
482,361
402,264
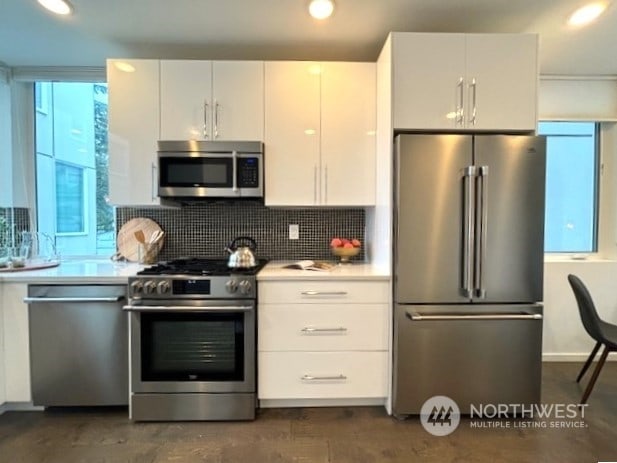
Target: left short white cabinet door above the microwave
x,y
186,100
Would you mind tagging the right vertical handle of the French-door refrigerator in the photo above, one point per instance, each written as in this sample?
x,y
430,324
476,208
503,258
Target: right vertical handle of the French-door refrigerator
x,y
481,231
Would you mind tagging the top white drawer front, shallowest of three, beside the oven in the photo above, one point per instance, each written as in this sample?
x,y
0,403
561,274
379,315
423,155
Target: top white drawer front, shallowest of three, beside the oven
x,y
318,292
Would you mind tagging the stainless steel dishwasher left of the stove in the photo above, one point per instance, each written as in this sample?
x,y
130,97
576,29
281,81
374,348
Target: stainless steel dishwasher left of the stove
x,y
78,345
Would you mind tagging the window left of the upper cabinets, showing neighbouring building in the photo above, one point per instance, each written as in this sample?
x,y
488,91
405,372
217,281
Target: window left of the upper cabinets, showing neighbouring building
x,y
71,167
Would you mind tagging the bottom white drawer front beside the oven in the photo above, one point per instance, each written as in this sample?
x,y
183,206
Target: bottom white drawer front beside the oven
x,y
322,375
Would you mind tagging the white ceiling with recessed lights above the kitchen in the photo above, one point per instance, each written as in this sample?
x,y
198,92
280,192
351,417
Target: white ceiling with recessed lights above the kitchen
x,y
282,29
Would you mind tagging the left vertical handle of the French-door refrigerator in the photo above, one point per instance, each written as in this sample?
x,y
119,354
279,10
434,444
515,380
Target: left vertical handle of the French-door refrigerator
x,y
468,174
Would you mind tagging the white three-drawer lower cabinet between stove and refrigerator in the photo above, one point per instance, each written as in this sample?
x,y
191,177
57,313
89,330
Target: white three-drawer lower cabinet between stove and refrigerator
x,y
325,341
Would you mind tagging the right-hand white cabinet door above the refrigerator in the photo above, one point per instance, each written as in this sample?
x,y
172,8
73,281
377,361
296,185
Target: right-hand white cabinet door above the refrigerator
x,y
505,68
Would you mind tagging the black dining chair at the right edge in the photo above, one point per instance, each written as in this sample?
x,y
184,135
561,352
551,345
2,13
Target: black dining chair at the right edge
x,y
602,332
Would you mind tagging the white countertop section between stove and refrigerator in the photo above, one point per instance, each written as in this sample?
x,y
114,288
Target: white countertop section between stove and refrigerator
x,y
355,271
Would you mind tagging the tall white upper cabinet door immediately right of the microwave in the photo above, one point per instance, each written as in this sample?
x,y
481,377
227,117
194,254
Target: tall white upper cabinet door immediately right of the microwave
x,y
292,133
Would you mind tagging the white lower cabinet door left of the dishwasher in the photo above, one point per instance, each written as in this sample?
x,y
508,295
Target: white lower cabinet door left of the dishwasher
x,y
16,343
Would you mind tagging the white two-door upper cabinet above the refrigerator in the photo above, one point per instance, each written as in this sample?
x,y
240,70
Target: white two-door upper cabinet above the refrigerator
x,y
467,82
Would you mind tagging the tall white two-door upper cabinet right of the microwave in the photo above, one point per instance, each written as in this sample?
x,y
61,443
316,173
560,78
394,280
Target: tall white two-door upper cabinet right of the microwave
x,y
320,133
